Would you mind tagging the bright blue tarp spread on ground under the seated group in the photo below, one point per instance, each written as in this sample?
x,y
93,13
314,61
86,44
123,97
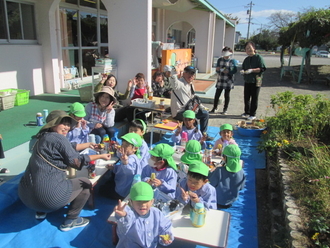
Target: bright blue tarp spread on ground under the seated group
x,y
19,228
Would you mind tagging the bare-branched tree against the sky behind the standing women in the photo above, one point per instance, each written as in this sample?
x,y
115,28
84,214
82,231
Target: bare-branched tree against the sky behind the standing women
x,y
281,19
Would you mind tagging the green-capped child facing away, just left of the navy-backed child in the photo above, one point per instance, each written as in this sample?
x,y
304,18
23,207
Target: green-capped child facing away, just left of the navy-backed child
x,y
192,152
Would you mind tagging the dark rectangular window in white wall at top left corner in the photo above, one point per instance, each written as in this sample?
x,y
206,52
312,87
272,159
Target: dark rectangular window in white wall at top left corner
x,y
17,22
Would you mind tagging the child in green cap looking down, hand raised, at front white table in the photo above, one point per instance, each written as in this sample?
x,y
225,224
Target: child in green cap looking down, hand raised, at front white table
x,y
195,188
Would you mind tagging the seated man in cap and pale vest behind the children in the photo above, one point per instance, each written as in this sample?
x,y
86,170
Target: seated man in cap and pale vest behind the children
x,y
182,92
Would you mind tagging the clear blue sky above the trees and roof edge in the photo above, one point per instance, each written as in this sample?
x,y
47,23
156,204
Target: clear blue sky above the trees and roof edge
x,y
261,9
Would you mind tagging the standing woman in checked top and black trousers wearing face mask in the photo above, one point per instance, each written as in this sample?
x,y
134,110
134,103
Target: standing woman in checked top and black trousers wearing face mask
x,y
226,69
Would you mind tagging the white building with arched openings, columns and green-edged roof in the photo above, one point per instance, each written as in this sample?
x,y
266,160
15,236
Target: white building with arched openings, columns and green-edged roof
x,y
39,37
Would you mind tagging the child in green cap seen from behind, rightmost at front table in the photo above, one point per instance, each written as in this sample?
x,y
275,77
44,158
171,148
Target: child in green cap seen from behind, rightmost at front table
x,y
229,179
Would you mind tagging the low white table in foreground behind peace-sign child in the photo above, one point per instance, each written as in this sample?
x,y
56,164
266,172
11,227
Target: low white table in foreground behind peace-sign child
x,y
214,233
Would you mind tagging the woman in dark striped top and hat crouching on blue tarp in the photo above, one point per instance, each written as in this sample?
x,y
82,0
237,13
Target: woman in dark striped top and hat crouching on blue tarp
x,y
44,186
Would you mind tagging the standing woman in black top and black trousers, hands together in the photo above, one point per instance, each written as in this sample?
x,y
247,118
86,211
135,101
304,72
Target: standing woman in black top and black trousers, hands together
x,y
253,68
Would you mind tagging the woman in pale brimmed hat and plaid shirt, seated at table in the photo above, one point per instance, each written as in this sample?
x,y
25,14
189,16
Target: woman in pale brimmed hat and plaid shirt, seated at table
x,y
100,113
